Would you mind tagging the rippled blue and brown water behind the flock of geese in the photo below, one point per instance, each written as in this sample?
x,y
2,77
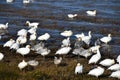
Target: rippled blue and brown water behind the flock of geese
x,y
52,16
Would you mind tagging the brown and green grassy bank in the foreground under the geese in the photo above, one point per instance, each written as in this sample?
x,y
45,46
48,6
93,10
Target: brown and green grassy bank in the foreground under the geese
x,y
46,70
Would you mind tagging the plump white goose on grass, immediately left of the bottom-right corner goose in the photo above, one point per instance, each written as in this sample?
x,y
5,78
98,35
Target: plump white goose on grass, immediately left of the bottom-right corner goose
x,y
96,71
